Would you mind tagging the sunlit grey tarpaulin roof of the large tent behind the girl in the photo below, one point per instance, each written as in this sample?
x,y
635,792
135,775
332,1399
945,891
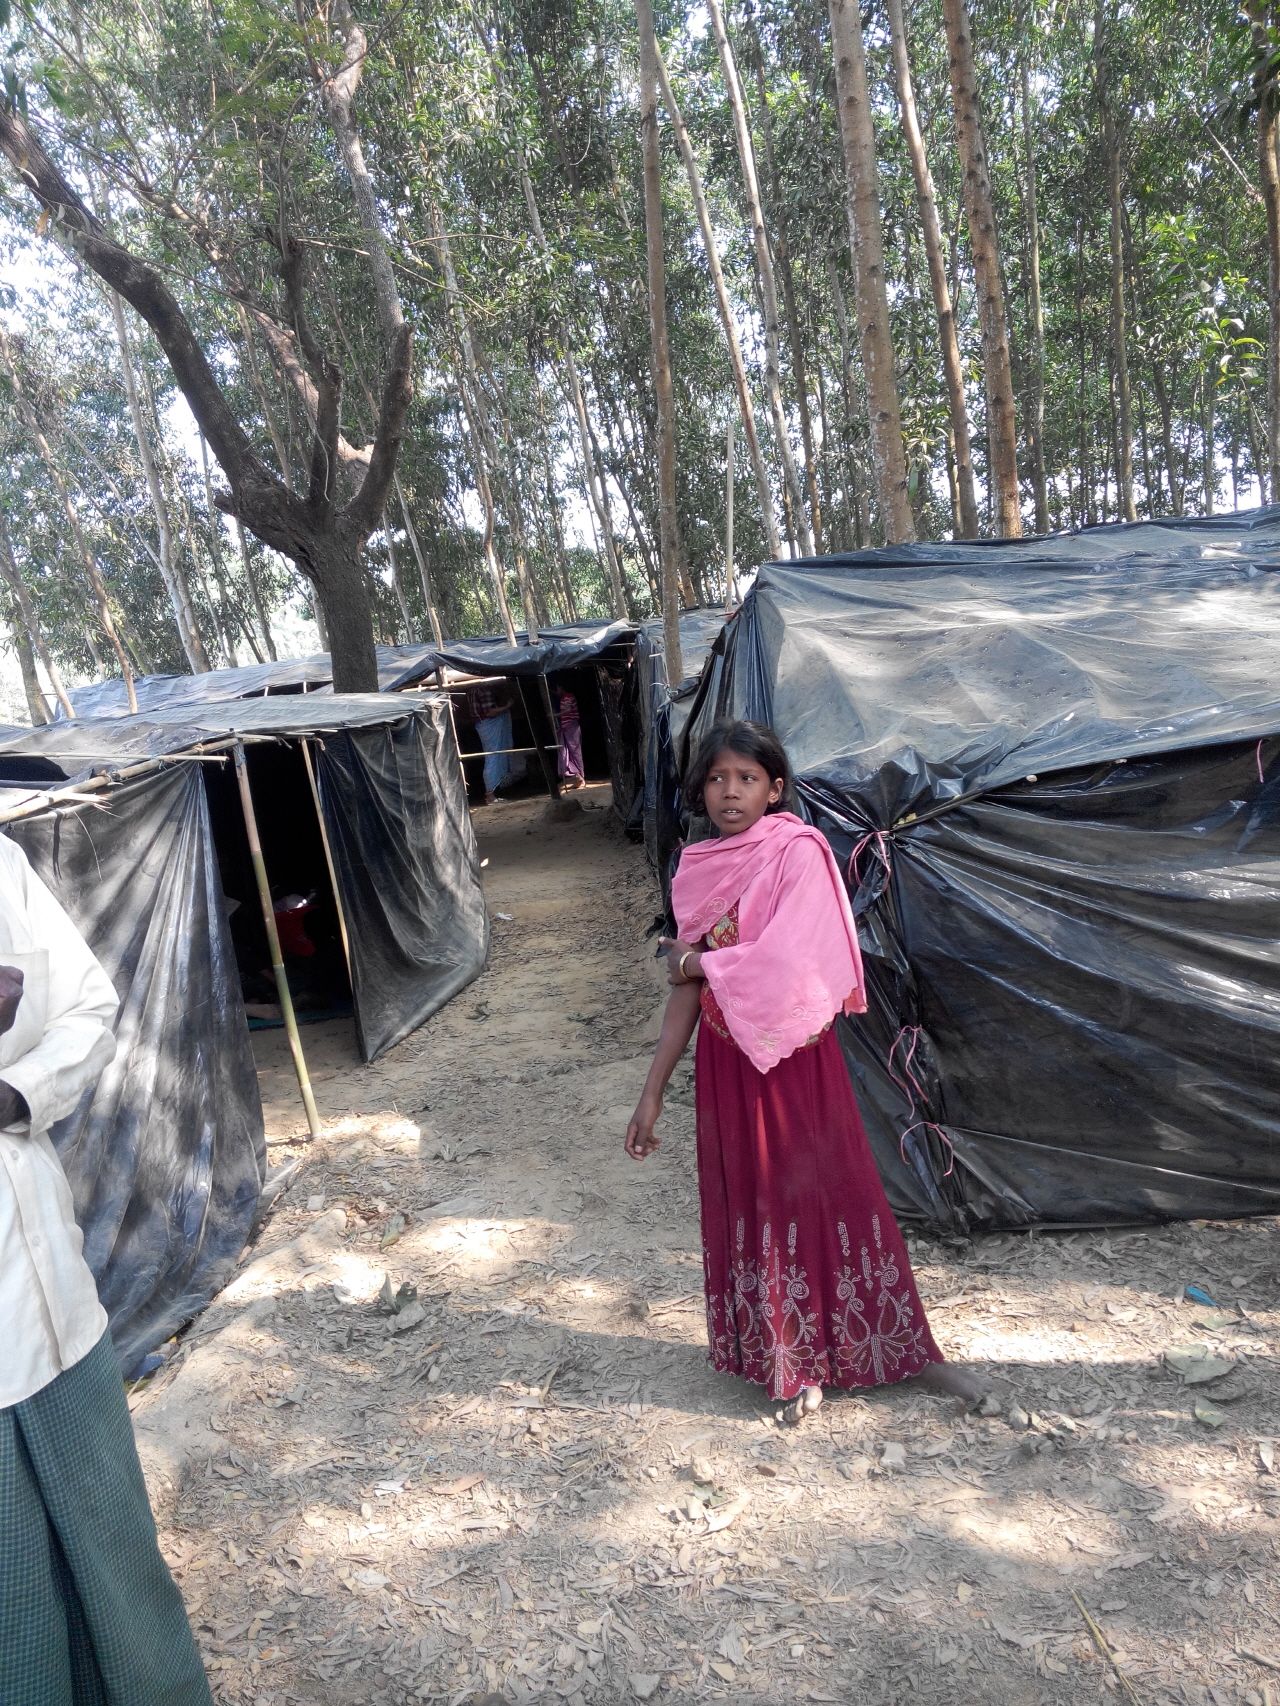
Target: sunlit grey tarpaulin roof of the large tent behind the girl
x,y
917,675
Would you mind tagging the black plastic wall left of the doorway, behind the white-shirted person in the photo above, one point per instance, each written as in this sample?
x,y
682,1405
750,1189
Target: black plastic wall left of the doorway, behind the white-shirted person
x,y
165,1156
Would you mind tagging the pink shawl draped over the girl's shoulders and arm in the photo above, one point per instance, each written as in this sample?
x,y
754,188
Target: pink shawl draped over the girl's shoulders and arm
x,y
796,963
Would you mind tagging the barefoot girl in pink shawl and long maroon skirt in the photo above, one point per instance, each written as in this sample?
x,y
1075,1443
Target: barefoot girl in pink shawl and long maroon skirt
x,y
808,1280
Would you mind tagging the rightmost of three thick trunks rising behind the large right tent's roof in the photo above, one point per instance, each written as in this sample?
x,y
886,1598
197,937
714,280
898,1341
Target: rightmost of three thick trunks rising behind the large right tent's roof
x,y
984,248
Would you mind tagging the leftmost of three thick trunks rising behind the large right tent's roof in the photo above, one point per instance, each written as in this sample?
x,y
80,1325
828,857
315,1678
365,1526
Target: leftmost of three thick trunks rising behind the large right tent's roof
x,y
870,286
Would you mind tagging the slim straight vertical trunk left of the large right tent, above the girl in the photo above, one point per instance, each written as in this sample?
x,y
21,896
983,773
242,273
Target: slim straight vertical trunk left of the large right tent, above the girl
x,y
661,354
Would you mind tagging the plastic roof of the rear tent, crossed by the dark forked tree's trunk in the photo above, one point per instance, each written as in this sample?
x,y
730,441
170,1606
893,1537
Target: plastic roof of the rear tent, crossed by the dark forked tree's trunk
x,y
399,670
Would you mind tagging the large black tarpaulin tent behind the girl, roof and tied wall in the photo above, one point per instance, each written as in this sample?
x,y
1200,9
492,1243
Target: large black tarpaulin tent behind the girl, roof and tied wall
x,y
1052,772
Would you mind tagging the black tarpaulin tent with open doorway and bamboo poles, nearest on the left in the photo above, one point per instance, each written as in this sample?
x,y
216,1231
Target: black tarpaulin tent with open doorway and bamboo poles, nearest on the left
x,y
166,1156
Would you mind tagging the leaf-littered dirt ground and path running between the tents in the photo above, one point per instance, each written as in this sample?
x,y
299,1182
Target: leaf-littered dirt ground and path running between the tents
x,y
528,1483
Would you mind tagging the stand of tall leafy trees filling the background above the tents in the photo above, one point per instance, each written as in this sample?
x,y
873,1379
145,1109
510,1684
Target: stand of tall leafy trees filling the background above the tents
x,y
347,311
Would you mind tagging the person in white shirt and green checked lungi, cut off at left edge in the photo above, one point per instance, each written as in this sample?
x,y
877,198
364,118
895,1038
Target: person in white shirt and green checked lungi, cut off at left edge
x,y
90,1615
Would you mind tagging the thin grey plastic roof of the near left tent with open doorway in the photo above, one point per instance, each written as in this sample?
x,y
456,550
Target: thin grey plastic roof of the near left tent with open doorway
x,y
84,746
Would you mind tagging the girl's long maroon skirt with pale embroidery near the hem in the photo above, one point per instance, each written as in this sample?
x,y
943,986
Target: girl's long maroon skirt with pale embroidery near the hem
x,y
808,1280
